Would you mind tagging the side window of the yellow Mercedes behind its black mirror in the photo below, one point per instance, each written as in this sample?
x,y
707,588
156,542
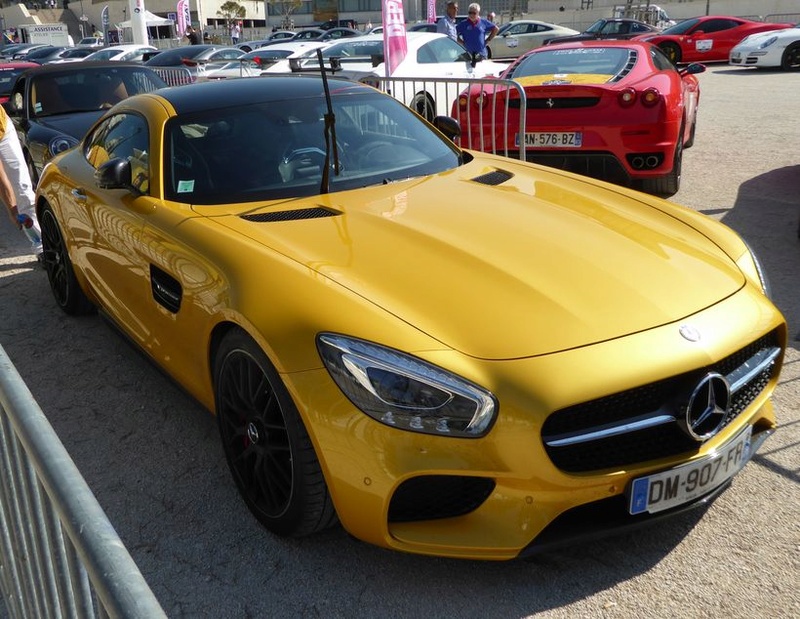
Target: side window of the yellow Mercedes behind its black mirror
x,y
122,136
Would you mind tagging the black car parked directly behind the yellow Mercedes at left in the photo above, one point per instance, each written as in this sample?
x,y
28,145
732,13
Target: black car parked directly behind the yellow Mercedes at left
x,y
52,106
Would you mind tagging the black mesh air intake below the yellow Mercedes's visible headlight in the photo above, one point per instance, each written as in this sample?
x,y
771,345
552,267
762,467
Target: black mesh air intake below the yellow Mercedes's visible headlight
x,y
432,497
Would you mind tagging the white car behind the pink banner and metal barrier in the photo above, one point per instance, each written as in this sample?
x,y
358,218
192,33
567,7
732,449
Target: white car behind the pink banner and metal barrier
x,y
430,56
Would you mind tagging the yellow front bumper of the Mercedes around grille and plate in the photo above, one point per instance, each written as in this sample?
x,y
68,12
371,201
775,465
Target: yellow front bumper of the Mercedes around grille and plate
x,y
505,495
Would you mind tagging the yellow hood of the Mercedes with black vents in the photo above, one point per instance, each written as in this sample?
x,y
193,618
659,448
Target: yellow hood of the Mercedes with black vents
x,y
535,264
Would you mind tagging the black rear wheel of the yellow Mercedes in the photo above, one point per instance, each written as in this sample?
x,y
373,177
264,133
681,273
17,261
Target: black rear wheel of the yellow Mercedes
x,y
60,272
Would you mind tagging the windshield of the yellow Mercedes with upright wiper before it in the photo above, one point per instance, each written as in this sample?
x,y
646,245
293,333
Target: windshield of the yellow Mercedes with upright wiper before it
x,y
283,149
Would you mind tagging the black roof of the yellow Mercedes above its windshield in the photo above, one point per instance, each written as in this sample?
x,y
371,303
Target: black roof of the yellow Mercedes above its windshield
x,y
225,93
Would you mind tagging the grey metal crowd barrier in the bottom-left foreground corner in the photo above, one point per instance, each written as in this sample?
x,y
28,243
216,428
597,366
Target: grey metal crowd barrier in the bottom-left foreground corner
x,y
59,554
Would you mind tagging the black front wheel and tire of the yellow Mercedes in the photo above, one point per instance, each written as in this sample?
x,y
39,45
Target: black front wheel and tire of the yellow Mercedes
x,y
267,447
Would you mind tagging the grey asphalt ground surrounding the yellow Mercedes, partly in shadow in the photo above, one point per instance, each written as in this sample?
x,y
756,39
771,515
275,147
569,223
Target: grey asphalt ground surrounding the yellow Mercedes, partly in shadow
x,y
153,459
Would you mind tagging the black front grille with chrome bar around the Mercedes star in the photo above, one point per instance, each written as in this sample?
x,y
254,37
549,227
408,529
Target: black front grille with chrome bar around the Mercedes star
x,y
660,403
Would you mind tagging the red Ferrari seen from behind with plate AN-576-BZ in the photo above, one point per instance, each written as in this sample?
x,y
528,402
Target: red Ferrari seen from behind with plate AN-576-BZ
x,y
619,111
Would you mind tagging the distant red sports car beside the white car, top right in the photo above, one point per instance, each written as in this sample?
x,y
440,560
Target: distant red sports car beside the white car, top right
x,y
706,39
